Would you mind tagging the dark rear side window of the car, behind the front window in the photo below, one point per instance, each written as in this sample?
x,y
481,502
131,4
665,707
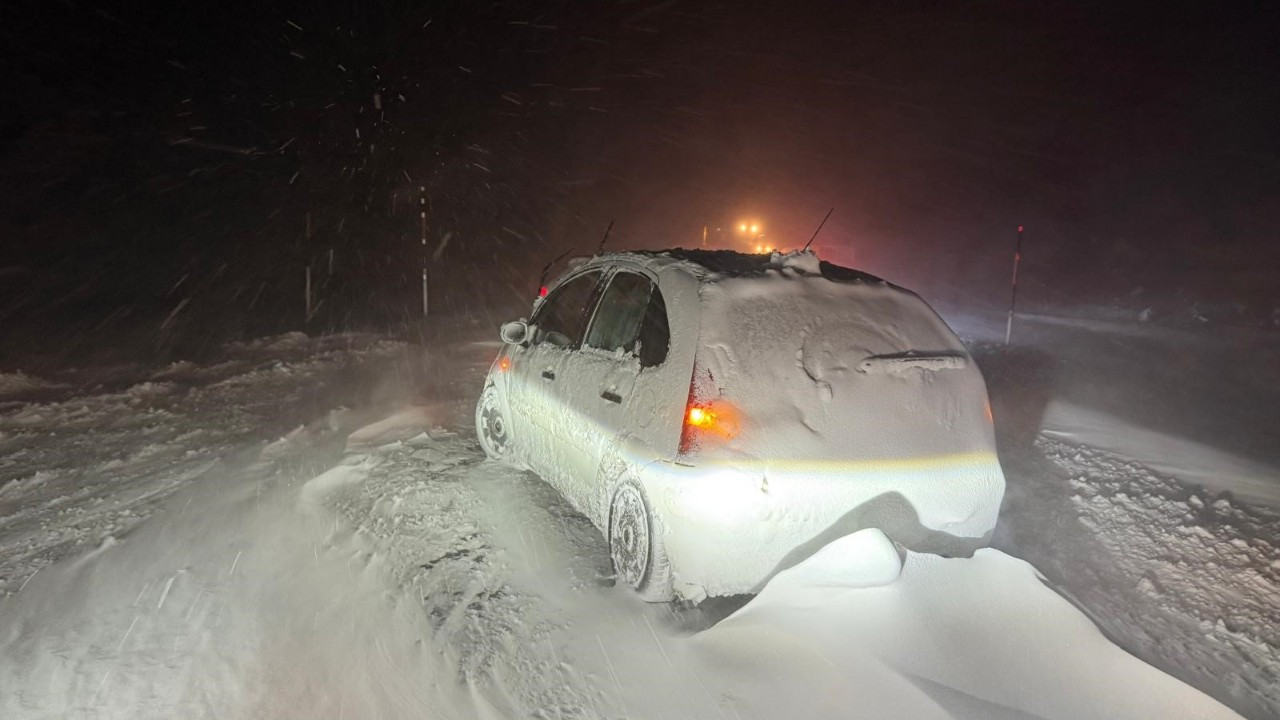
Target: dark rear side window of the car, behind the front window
x,y
632,318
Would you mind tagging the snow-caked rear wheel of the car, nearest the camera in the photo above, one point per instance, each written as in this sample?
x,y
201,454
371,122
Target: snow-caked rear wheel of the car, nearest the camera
x,y
636,545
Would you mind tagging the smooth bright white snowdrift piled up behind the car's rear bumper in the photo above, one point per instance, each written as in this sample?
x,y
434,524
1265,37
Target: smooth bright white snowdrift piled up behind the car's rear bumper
x,y
980,637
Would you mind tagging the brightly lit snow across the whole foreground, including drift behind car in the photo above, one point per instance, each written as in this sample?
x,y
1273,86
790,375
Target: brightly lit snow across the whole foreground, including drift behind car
x,y
417,577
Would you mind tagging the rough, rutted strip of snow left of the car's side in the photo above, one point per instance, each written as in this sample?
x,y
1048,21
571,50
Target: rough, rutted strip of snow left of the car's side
x,y
428,507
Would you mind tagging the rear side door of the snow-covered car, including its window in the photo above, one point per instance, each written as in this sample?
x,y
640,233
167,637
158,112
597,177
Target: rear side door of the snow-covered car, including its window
x,y
604,377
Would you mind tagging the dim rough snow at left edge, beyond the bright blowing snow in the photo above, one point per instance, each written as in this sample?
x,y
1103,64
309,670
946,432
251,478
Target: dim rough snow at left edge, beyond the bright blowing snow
x,y
99,462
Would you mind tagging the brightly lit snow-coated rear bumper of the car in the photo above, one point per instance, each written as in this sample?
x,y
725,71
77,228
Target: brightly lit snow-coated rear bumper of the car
x,y
729,528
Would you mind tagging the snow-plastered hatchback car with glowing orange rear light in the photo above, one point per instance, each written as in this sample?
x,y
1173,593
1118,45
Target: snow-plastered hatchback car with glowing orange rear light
x,y
721,417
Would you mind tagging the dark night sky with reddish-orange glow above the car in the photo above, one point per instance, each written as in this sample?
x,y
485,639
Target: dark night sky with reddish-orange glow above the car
x,y
159,162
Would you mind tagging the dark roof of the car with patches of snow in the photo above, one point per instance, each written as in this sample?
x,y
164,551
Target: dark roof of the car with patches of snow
x,y
712,266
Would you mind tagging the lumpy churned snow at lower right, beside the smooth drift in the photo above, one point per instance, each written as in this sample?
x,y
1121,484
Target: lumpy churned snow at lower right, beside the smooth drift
x,y
1186,578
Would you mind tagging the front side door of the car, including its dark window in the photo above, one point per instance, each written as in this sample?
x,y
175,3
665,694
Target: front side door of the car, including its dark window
x,y
538,370
